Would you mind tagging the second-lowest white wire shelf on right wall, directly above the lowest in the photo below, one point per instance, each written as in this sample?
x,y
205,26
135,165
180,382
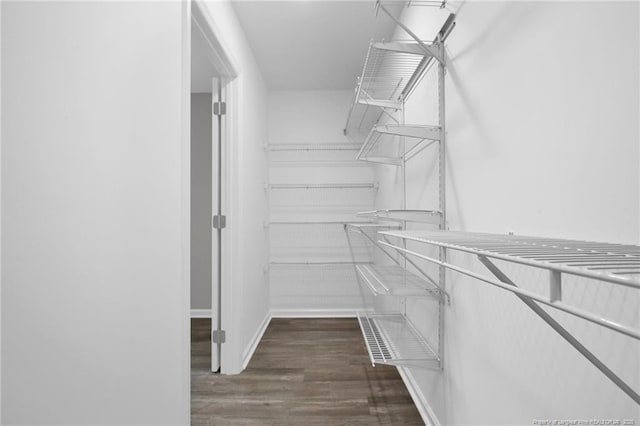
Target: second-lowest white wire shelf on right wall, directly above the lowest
x,y
393,280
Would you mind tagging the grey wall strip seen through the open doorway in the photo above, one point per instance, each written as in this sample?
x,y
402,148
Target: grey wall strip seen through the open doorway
x,y
201,180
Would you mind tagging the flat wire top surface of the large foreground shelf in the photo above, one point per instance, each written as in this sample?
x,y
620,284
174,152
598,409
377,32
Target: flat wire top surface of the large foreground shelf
x,y
615,263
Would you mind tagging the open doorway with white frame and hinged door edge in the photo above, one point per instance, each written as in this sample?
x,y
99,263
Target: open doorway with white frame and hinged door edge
x,y
211,74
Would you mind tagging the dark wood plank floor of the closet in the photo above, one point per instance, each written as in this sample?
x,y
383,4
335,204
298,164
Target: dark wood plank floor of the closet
x,y
307,372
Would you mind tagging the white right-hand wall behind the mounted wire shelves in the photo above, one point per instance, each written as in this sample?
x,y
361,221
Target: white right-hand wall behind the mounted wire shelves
x,y
542,115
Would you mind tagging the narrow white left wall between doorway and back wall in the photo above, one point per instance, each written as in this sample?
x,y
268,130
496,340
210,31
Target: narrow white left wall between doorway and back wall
x,y
246,295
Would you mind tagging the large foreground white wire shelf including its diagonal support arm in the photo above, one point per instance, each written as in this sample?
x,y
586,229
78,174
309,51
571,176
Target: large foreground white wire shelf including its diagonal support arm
x,y
617,264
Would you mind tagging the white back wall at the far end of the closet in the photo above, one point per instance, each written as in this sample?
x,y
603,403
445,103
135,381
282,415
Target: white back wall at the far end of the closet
x,y
314,118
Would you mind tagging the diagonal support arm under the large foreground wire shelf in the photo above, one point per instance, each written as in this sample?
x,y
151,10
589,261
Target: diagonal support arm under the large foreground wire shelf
x,y
562,331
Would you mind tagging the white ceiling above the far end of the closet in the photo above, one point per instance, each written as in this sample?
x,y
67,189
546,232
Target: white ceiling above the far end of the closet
x,y
311,44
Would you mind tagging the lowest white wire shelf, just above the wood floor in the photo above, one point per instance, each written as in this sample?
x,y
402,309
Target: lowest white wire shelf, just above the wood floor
x,y
392,340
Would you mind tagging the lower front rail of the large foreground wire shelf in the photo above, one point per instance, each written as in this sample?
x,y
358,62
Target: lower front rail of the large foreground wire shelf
x,y
621,328
